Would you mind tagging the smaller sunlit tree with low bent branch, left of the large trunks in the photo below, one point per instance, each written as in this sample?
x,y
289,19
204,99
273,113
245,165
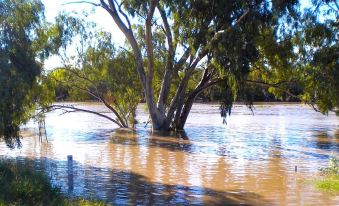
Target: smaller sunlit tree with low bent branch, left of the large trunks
x,y
94,69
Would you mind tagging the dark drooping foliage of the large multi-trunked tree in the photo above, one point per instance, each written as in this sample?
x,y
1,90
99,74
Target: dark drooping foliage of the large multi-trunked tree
x,y
232,47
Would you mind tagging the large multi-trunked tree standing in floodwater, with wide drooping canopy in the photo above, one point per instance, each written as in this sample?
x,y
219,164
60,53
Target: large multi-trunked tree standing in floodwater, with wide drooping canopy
x,y
232,43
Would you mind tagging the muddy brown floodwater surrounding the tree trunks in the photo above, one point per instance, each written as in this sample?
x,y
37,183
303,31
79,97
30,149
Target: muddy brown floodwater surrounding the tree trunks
x,y
250,161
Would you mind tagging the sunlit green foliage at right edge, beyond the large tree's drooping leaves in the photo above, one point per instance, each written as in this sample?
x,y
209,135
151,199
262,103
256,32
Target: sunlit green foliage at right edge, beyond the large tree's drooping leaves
x,y
304,63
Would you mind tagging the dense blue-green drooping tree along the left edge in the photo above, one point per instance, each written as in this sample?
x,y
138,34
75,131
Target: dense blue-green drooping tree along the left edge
x,y
23,46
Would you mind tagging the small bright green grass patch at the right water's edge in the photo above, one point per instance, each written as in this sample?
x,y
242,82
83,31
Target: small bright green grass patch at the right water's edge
x,y
330,177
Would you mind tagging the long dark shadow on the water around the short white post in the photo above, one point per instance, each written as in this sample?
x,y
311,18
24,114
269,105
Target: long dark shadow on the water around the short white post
x,y
118,187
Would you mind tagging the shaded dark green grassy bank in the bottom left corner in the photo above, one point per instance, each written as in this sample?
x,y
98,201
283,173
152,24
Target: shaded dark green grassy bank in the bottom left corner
x,y
20,184
